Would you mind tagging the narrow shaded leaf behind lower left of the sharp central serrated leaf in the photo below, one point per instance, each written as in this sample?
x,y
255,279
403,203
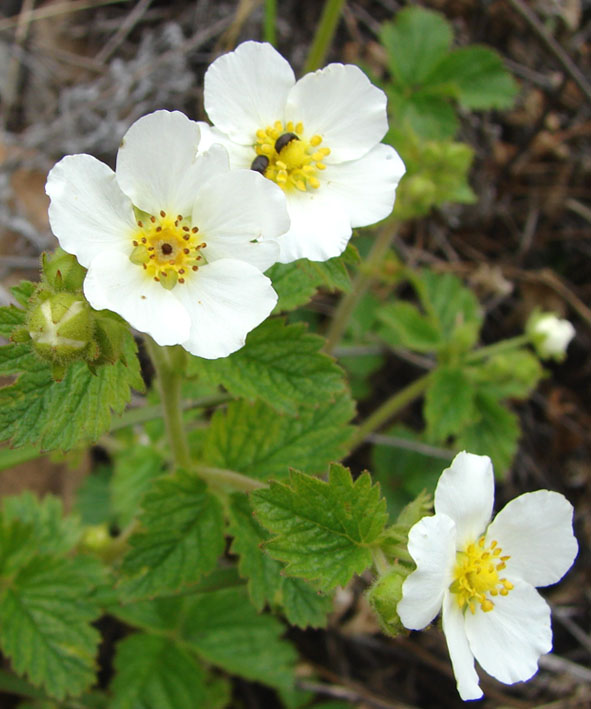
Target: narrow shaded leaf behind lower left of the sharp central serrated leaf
x,y
303,605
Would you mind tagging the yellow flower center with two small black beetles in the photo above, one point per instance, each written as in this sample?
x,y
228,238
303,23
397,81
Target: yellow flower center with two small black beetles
x,y
287,158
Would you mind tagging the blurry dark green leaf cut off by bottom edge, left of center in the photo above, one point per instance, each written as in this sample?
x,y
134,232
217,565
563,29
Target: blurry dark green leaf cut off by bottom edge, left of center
x,y
155,673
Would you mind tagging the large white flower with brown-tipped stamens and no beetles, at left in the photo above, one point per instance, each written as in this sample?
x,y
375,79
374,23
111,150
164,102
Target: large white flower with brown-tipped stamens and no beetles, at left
x,y
169,237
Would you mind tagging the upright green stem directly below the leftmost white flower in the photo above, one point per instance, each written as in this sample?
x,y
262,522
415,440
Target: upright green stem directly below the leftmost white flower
x,y
169,365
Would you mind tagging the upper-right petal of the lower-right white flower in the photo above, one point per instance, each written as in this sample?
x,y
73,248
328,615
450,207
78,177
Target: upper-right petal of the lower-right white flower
x,y
536,531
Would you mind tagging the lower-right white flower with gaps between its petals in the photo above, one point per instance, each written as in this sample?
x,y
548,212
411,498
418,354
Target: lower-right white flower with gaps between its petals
x,y
483,578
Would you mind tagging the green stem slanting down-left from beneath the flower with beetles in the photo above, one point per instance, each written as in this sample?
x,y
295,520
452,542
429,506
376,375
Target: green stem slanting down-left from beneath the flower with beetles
x,y
361,283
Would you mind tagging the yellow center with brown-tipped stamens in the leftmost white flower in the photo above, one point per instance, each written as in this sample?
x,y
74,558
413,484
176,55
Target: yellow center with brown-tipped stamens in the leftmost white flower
x,y
168,248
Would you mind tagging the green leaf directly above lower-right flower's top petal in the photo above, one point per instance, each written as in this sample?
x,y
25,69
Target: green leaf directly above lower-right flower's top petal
x,y
494,432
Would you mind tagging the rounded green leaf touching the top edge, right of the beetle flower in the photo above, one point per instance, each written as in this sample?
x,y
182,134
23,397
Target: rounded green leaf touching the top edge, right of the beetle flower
x,y
416,42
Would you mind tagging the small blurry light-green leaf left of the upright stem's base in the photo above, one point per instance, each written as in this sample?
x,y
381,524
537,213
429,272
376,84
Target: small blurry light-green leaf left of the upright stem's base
x,y
134,470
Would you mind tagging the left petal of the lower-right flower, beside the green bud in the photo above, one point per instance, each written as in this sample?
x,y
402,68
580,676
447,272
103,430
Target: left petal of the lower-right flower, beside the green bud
x,y
431,543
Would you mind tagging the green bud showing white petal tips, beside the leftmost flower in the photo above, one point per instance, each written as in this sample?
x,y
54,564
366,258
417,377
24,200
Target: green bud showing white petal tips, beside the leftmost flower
x,y
61,327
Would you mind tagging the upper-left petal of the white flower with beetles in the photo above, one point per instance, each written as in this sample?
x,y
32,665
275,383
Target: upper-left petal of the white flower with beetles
x,y
246,90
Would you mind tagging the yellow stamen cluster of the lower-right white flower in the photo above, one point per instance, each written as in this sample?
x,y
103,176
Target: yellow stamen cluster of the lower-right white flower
x,y
477,574
